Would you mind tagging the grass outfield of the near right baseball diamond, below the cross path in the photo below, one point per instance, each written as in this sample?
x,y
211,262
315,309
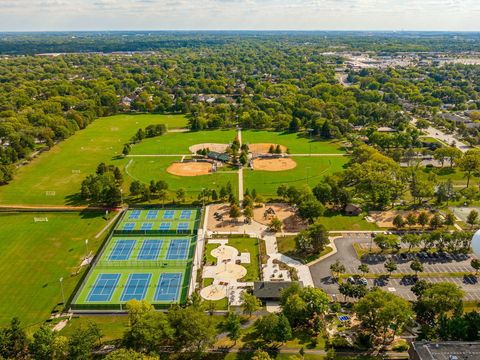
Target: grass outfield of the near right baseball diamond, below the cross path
x,y
309,170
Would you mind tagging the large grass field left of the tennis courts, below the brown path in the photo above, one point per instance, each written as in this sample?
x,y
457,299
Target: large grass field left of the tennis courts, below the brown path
x,y
33,257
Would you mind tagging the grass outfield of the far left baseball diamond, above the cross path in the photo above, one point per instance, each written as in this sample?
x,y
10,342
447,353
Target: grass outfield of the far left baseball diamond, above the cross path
x,y
178,143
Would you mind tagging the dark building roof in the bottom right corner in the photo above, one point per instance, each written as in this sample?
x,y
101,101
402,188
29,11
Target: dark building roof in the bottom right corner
x,y
450,350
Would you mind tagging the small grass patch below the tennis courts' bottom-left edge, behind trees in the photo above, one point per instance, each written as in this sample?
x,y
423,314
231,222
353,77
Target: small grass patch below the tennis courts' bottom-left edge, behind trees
x,y
111,326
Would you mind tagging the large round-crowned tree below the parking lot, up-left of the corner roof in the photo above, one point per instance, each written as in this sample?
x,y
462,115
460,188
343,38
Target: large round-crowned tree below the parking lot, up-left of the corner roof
x,y
381,311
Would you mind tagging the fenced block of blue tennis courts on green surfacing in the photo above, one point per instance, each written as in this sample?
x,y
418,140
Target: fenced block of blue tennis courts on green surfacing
x,y
148,256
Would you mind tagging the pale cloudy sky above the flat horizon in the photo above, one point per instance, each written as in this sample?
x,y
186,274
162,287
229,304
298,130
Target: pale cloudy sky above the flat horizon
x,y
51,15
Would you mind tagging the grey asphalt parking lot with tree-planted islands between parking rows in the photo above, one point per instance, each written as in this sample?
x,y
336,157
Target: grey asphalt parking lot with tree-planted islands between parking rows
x,y
432,264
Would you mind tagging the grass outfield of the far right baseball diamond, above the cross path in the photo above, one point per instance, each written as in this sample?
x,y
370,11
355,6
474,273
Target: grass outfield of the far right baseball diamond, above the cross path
x,y
297,143
